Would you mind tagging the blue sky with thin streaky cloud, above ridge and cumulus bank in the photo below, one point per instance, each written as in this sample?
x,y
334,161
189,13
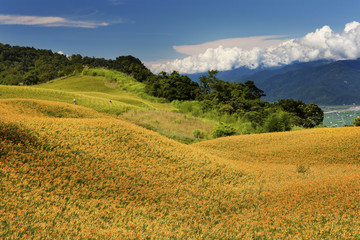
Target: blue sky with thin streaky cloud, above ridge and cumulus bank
x,y
149,29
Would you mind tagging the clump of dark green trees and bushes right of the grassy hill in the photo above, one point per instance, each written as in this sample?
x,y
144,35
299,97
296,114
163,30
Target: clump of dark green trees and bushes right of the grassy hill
x,y
233,99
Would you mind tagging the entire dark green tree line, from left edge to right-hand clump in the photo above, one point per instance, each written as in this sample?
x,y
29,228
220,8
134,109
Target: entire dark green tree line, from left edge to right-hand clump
x,y
29,66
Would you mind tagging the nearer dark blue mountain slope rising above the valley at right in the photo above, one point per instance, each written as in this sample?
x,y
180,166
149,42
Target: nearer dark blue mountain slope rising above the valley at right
x,y
334,83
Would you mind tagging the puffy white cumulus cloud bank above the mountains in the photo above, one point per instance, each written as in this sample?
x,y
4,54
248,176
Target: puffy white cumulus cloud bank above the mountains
x,y
324,43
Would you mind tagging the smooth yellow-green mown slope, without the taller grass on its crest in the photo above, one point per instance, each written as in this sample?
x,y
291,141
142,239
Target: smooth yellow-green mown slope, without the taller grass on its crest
x,y
89,91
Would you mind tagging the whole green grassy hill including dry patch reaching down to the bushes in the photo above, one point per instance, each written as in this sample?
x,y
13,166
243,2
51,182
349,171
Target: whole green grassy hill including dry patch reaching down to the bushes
x,y
96,88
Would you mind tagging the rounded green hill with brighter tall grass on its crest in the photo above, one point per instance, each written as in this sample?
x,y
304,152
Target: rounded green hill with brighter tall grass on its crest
x,y
103,90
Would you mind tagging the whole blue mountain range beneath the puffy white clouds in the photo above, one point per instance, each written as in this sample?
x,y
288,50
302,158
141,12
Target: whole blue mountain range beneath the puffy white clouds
x,y
322,82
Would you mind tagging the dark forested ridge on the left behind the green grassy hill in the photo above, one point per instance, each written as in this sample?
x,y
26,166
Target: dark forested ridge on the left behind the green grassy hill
x,y
29,66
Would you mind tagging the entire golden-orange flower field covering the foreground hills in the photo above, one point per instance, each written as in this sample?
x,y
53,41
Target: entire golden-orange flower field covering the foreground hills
x,y
70,172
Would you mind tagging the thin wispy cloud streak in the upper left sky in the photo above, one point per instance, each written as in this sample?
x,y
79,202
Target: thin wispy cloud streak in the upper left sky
x,y
47,21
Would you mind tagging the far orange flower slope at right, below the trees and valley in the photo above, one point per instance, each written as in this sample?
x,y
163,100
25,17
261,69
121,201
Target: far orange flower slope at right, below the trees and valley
x,y
307,147
